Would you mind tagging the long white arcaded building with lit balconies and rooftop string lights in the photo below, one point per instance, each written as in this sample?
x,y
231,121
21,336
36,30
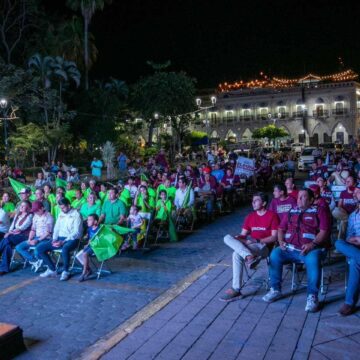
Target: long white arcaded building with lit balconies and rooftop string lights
x,y
312,111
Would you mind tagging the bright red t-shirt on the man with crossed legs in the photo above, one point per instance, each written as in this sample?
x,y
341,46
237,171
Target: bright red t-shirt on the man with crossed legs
x,y
260,226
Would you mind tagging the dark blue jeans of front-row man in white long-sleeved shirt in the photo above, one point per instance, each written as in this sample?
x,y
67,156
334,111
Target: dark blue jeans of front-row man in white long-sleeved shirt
x,y
45,247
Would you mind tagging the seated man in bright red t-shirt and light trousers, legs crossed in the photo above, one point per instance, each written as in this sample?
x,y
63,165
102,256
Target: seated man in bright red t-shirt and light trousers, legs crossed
x,y
259,230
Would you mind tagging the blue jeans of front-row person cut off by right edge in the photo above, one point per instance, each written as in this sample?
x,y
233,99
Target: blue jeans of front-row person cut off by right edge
x,y
352,252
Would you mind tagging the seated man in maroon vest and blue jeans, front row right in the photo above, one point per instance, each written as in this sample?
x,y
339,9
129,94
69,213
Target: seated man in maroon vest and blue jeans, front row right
x,y
303,237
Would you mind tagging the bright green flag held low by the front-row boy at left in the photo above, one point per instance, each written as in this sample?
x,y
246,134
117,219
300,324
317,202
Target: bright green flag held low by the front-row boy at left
x,y
106,242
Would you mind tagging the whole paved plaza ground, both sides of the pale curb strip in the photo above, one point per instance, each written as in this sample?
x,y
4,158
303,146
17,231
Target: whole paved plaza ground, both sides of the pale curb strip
x,y
172,293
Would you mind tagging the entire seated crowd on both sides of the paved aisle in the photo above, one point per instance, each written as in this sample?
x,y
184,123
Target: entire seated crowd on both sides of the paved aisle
x,y
294,227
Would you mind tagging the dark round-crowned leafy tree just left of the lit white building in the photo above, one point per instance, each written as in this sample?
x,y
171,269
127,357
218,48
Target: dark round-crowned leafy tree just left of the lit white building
x,y
170,94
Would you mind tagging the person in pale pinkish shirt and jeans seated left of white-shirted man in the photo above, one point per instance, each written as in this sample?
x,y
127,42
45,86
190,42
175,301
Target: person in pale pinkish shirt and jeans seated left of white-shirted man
x,y
41,229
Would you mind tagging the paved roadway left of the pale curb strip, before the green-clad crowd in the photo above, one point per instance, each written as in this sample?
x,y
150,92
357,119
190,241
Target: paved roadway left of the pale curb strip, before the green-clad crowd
x,y
61,319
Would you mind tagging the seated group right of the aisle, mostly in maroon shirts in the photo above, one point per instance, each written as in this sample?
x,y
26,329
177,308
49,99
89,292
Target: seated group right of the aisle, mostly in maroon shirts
x,y
296,227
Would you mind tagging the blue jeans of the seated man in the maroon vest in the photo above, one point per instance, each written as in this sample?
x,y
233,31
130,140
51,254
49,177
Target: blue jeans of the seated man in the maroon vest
x,y
312,261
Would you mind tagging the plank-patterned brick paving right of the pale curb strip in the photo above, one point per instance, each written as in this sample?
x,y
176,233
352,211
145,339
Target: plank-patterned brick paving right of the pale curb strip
x,y
196,325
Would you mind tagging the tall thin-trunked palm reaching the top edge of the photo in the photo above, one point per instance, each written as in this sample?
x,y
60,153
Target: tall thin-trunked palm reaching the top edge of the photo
x,y
88,9
